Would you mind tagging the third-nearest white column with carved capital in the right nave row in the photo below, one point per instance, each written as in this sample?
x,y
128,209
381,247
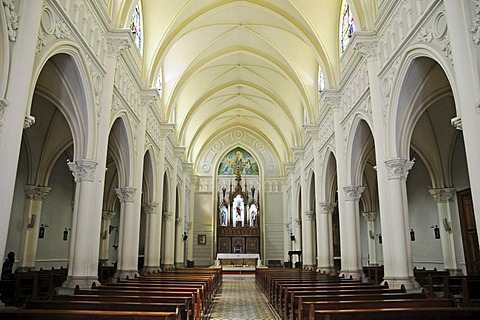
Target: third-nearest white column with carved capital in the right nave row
x,y
324,238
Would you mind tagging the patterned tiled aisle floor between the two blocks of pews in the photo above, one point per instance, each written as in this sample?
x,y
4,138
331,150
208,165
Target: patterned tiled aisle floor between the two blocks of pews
x,y
240,299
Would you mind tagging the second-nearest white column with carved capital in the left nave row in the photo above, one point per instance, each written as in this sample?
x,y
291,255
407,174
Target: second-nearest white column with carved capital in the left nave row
x,y
129,229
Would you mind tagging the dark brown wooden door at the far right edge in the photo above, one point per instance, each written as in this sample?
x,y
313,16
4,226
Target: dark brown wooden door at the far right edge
x,y
469,232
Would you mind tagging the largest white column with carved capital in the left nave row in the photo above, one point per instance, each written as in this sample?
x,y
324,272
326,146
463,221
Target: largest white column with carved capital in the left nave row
x,y
83,260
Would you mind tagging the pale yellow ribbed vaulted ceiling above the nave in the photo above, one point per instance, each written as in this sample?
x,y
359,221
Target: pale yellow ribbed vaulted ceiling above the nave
x,y
241,64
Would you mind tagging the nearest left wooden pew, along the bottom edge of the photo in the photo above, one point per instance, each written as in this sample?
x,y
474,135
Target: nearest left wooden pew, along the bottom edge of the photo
x,y
41,314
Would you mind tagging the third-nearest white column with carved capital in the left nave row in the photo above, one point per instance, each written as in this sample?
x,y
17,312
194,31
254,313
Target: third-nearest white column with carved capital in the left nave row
x,y
152,238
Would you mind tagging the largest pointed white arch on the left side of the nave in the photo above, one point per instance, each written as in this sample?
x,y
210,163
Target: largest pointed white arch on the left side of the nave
x,y
72,71
